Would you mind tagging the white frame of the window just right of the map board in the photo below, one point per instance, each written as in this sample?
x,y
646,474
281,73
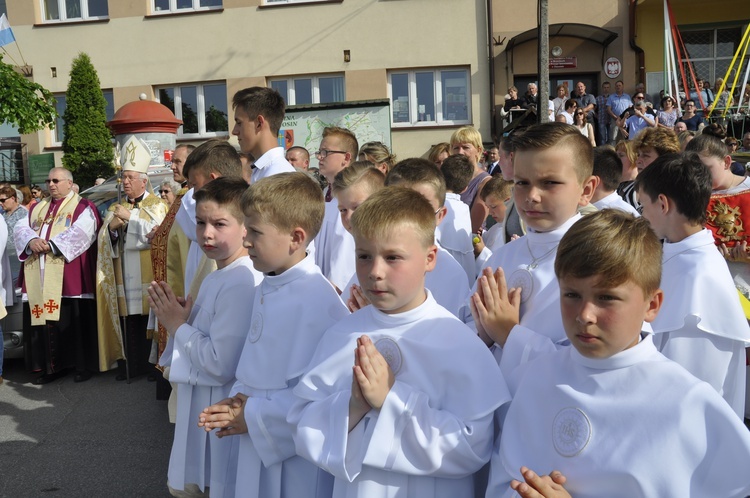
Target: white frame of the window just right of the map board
x,y
438,89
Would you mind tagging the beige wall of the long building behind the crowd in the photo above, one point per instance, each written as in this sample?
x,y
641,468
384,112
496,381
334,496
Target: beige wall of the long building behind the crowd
x,y
135,51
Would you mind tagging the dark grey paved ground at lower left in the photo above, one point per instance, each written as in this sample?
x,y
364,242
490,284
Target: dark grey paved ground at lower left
x,y
100,438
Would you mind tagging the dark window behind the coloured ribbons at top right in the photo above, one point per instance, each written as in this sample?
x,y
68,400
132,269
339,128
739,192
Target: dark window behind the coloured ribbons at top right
x,y
711,52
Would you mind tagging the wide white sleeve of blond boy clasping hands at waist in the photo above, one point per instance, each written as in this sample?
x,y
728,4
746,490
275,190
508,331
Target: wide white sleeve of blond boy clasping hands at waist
x,y
267,425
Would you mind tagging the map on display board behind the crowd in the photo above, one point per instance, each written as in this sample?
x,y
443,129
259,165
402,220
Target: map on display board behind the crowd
x,y
370,122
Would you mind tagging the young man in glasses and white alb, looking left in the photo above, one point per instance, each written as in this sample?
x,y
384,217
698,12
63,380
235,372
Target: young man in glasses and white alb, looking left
x,y
334,246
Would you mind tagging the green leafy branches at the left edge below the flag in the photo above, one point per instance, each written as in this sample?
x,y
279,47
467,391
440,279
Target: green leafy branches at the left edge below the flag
x,y
27,105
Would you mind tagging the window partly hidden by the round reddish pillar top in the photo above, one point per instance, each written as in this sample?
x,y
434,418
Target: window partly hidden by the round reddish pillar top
x,y
201,107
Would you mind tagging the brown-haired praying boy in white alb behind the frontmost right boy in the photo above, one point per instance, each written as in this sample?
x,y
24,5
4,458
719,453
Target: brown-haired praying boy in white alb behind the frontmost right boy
x,y
552,173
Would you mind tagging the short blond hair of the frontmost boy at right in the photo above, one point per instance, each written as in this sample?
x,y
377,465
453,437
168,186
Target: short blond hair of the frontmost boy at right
x,y
612,245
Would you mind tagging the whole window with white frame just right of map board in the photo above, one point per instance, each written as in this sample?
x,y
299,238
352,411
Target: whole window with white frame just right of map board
x,y
430,97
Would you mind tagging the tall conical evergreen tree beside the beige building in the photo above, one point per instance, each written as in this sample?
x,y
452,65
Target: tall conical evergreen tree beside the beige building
x,y
87,142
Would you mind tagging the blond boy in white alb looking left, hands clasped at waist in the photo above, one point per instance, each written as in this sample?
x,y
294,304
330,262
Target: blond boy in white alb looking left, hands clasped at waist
x,y
292,308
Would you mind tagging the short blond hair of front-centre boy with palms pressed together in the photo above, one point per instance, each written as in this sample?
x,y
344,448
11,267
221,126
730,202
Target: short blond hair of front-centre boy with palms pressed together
x,y
392,208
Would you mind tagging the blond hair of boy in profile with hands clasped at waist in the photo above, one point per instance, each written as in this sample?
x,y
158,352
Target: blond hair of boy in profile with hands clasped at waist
x,y
287,201
